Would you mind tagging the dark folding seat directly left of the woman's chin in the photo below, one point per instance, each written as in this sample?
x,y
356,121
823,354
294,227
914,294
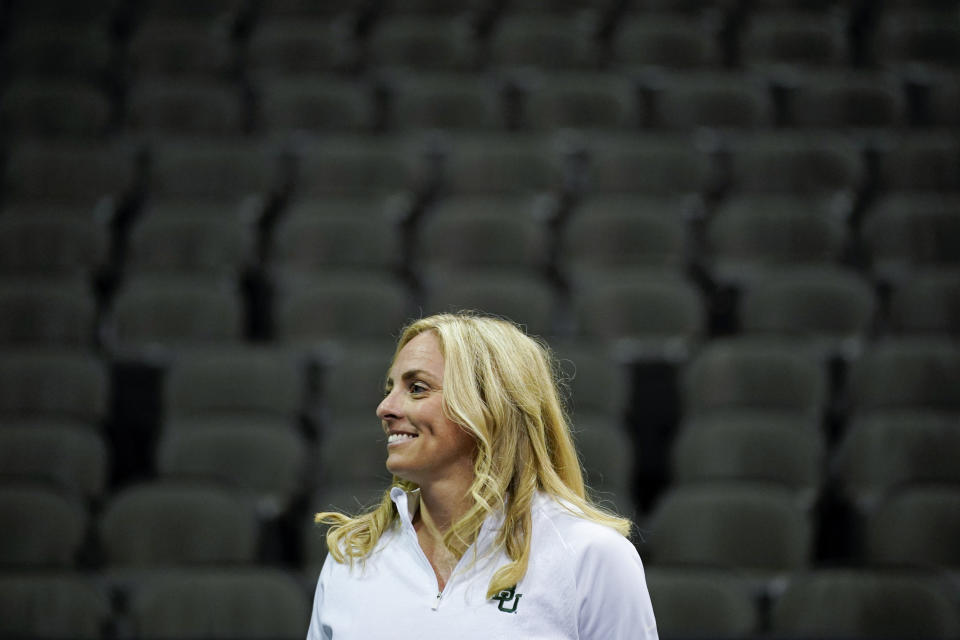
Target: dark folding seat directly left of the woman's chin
x,y
354,454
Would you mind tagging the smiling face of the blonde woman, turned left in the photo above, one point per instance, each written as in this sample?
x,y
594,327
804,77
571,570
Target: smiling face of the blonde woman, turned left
x,y
423,445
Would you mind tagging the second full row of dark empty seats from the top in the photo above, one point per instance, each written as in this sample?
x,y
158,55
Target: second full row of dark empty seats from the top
x,y
533,101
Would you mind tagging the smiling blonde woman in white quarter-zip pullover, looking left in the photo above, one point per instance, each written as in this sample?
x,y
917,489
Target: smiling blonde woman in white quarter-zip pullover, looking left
x,y
486,532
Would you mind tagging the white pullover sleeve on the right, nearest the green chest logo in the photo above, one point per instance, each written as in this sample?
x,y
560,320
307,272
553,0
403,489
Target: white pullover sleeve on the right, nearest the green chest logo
x,y
612,589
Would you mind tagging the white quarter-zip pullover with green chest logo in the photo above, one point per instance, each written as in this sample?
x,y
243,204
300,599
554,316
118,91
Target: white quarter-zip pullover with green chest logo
x,y
585,581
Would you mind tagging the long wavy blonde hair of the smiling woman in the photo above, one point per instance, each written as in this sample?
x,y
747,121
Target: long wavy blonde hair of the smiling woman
x,y
502,387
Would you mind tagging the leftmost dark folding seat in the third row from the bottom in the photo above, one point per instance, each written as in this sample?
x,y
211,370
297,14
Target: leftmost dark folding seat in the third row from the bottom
x,y
74,460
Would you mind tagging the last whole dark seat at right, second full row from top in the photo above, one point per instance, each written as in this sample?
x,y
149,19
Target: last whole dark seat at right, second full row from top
x,y
846,99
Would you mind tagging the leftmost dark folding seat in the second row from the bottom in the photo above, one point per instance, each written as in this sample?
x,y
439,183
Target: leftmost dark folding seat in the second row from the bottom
x,y
43,528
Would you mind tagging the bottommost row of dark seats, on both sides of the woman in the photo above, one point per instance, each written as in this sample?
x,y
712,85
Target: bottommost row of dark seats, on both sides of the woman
x,y
267,603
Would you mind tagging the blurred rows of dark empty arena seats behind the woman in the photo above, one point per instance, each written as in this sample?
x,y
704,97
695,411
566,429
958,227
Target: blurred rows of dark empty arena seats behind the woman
x,y
736,222
